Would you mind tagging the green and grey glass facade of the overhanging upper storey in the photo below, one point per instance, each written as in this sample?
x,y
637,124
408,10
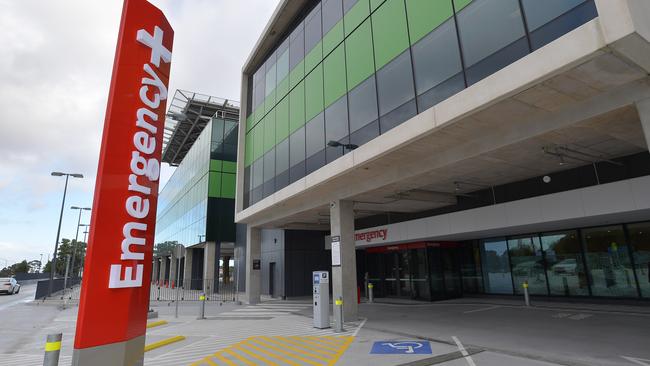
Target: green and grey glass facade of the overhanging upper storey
x,y
354,69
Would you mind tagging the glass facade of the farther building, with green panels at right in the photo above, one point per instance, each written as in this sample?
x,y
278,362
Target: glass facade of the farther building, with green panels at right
x,y
197,203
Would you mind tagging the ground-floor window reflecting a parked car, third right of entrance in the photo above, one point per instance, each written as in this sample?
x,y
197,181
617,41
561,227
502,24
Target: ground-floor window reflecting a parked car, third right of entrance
x,y
564,264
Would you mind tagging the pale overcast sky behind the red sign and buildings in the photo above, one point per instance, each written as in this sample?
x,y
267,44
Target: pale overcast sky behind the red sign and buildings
x,y
55,67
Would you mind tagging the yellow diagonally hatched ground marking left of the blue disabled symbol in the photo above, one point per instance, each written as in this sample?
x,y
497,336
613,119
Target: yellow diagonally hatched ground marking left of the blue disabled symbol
x,y
278,350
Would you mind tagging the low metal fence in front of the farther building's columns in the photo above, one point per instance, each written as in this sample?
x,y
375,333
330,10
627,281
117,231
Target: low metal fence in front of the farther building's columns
x,y
191,290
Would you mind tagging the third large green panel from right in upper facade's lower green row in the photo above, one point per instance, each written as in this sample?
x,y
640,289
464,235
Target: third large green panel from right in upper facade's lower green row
x,y
359,55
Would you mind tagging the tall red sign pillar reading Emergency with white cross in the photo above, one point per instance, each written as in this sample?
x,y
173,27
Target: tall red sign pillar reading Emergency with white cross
x,y
112,318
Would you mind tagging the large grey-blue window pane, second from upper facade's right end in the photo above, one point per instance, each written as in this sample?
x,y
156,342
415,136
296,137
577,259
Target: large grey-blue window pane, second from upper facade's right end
x,y
492,34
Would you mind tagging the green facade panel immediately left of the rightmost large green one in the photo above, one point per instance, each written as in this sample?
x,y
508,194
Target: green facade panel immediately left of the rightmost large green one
x,y
390,31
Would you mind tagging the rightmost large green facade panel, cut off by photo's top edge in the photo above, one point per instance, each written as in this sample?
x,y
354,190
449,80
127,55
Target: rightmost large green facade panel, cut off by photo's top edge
x,y
426,15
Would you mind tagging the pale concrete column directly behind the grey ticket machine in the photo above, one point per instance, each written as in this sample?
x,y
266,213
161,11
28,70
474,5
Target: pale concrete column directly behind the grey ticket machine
x,y
344,277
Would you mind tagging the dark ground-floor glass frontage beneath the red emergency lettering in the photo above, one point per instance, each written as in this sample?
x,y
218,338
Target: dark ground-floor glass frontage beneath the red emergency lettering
x,y
609,261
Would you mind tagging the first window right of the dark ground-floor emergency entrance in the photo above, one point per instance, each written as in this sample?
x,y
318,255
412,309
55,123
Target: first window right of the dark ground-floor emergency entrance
x,y
496,267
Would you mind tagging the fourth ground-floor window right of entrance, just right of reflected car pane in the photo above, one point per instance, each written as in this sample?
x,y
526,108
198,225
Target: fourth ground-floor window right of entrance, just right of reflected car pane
x,y
608,261
